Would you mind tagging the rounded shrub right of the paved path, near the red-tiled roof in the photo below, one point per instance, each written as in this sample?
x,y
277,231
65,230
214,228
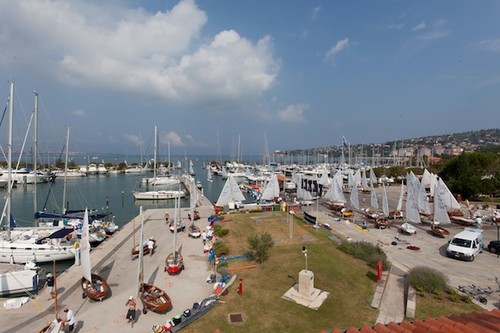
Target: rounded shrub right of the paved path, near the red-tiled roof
x,y
428,280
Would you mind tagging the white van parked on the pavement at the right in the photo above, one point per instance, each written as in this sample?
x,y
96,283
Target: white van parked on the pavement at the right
x,y
466,244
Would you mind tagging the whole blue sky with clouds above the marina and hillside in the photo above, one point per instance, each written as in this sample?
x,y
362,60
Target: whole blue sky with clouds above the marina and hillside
x,y
247,77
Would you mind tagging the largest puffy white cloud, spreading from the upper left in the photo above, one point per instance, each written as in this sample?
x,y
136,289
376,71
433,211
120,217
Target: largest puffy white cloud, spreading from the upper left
x,y
91,44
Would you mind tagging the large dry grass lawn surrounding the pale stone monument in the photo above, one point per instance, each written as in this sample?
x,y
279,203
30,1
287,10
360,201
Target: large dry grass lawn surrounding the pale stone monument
x,y
345,278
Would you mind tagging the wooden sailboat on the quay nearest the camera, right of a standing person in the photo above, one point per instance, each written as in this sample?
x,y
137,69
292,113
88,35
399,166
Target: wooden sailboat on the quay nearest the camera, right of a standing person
x,y
152,297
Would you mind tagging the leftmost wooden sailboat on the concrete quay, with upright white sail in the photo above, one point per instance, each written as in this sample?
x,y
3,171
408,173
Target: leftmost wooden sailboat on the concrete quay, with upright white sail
x,y
93,286
